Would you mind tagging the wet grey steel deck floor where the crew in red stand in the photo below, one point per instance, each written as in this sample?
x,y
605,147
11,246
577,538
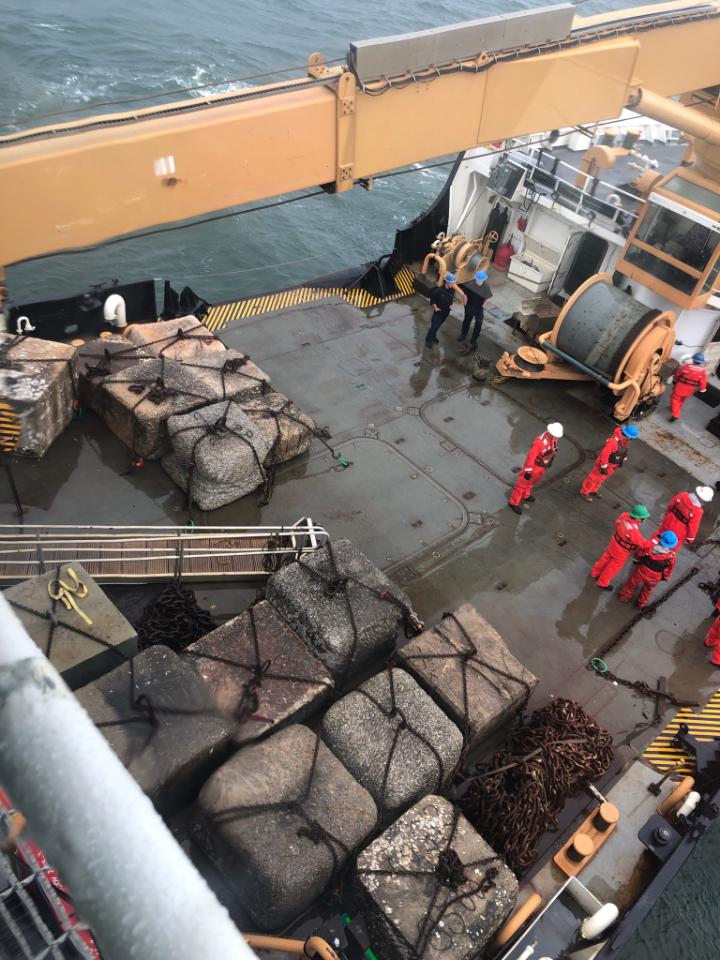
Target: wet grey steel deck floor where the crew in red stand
x,y
432,464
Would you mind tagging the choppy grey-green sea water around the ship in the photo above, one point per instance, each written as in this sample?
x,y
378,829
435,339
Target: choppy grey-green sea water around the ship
x,y
61,56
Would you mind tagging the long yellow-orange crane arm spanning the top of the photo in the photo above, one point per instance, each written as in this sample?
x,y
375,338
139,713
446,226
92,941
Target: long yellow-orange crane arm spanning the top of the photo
x,y
80,183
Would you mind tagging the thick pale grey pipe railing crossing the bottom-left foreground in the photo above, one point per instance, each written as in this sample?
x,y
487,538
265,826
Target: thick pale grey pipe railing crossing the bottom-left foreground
x,y
130,880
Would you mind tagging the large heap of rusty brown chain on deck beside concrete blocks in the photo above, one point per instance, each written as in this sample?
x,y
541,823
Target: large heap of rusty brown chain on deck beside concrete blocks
x,y
516,797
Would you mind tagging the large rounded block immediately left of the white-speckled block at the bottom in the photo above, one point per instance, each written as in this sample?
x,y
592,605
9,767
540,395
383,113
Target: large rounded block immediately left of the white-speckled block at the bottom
x,y
279,820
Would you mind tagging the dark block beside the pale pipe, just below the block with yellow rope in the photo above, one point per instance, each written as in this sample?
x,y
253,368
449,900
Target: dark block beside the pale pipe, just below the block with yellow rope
x,y
160,719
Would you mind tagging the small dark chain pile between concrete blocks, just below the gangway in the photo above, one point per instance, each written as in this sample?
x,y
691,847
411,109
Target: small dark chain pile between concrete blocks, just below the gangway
x,y
174,619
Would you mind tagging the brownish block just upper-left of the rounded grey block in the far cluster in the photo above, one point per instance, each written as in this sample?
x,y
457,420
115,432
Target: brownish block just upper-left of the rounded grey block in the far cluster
x,y
136,403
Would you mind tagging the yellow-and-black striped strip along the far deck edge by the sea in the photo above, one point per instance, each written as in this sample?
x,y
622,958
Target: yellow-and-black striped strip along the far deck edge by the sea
x,y
221,315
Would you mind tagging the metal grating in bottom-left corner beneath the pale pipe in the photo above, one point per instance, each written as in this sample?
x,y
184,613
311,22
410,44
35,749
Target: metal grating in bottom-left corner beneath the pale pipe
x,y
37,920
